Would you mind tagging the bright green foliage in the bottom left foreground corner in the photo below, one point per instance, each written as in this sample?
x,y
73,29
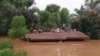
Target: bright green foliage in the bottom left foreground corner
x,y
6,49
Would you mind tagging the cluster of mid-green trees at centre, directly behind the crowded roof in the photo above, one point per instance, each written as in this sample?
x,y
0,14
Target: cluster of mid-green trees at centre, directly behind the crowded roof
x,y
53,17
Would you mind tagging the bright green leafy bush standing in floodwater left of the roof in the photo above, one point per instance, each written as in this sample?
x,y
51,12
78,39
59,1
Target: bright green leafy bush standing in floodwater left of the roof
x,y
18,27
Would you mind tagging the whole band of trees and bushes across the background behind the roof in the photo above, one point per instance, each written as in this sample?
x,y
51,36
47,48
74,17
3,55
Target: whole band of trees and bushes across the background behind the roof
x,y
86,19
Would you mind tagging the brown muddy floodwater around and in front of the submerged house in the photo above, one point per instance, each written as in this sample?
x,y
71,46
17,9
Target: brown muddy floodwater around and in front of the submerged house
x,y
68,48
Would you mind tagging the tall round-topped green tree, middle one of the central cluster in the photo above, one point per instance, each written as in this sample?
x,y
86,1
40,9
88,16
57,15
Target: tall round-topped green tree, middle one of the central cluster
x,y
55,17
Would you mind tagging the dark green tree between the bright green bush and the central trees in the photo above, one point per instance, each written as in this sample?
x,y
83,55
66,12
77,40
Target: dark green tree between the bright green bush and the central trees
x,y
31,18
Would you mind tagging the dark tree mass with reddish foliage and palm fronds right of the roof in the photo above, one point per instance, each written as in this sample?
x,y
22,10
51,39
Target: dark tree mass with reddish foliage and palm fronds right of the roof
x,y
89,19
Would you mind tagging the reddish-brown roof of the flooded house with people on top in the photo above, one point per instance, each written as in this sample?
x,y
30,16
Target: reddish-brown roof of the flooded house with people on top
x,y
57,36
